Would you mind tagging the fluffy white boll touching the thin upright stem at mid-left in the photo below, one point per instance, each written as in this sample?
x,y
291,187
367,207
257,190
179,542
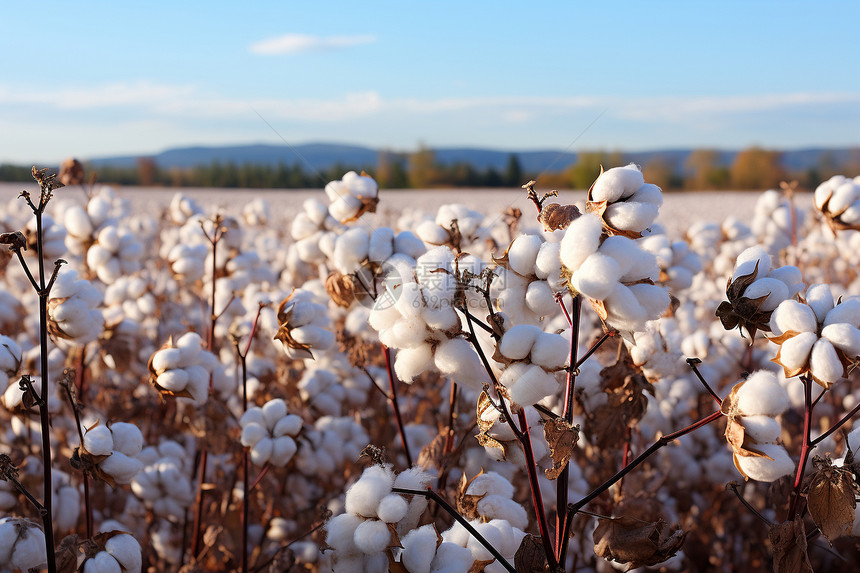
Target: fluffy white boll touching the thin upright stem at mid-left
x,y
182,367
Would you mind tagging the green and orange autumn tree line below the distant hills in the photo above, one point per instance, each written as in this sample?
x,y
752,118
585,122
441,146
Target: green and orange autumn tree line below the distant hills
x,y
703,169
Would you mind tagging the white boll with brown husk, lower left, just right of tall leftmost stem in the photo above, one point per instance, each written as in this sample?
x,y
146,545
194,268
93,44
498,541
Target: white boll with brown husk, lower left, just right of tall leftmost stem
x,y
110,451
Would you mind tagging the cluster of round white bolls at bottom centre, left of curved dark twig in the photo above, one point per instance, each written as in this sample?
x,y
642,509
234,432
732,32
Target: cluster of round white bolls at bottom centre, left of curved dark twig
x,y
361,536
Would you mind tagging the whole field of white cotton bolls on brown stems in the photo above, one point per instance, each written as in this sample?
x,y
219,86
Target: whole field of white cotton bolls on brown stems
x,y
557,387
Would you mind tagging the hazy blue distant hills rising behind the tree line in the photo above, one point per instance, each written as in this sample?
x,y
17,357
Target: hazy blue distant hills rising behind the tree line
x,y
324,155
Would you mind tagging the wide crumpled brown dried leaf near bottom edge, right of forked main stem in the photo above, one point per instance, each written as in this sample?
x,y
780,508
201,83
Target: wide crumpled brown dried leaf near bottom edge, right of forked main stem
x,y
636,542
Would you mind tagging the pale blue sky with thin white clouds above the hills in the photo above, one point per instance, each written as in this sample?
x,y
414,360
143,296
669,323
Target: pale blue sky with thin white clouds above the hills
x,y
92,79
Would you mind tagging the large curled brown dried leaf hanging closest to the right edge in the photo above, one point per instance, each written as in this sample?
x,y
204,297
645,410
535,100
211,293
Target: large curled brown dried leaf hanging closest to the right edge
x,y
831,498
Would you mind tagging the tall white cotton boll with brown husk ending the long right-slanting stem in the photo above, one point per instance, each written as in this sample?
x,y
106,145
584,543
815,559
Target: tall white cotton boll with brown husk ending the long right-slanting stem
x,y
754,431
